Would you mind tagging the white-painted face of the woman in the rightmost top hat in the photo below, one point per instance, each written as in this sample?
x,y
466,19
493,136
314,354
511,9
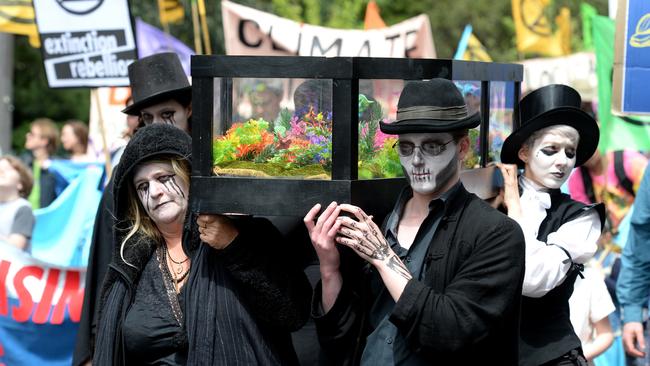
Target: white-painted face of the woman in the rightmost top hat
x,y
550,160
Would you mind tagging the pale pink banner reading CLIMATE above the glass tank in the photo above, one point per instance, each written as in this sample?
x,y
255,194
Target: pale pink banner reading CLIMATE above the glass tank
x,y
248,31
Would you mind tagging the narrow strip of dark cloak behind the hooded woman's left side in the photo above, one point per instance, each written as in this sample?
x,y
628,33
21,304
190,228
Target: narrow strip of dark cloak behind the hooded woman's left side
x,y
101,250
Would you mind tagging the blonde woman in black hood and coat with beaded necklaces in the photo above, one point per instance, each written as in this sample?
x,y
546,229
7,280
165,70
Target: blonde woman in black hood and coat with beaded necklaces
x,y
181,290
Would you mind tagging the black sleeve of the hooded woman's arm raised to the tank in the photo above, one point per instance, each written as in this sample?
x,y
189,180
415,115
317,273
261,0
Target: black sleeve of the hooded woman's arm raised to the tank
x,y
272,281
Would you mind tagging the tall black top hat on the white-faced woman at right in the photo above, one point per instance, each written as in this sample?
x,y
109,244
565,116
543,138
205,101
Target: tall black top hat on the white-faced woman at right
x,y
549,106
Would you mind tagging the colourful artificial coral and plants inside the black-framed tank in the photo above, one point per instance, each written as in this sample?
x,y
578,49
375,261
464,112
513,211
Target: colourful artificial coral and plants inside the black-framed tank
x,y
301,145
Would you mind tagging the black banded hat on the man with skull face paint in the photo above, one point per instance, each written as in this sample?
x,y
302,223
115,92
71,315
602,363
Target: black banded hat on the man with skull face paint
x,y
431,106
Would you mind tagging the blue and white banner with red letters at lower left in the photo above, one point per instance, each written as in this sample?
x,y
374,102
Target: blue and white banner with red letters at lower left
x,y
40,308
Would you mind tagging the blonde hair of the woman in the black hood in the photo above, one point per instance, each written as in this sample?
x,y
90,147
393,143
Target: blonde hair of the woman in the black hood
x,y
138,219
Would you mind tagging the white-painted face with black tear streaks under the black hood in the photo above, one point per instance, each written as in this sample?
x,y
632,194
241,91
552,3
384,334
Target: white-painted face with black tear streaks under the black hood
x,y
162,193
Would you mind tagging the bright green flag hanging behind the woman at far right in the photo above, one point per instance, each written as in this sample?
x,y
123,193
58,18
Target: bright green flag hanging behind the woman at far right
x,y
616,133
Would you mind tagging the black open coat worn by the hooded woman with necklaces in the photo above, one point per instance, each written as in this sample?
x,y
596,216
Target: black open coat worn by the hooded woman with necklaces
x,y
276,291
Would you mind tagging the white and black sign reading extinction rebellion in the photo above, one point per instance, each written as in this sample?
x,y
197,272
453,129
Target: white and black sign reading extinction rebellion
x,y
85,43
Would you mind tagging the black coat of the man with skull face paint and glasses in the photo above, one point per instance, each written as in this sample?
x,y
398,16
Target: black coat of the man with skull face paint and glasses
x,y
466,309
